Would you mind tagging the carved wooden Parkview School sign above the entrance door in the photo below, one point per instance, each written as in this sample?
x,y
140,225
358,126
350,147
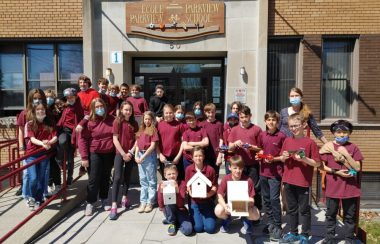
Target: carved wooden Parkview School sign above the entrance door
x,y
176,19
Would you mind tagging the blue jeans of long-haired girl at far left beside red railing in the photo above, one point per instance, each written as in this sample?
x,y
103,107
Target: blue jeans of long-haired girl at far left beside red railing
x,y
37,177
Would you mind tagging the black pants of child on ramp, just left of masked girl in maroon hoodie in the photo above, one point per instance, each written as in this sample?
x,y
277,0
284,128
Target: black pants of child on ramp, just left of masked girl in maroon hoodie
x,y
64,147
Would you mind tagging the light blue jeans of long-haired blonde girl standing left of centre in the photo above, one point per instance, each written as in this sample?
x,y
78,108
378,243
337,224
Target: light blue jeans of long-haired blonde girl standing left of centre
x,y
148,178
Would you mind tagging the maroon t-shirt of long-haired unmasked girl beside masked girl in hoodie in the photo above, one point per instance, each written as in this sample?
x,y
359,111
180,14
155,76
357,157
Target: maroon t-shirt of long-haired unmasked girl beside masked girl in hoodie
x,y
126,132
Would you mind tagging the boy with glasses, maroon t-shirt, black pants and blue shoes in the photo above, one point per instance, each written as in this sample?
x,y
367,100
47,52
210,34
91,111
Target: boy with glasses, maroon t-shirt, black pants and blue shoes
x,y
300,155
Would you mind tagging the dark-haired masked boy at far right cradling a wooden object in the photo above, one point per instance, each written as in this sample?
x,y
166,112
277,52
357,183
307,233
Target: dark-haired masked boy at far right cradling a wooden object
x,y
341,186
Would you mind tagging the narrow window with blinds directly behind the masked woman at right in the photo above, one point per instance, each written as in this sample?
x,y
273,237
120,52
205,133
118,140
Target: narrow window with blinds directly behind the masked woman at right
x,y
282,71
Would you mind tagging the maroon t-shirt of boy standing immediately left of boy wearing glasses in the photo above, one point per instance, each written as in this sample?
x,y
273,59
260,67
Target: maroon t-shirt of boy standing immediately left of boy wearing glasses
x,y
271,144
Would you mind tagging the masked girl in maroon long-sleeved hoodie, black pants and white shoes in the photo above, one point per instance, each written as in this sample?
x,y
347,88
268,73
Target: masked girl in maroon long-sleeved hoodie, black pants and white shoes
x,y
97,152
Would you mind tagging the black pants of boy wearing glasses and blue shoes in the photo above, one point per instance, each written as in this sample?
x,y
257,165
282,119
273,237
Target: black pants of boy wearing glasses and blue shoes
x,y
297,198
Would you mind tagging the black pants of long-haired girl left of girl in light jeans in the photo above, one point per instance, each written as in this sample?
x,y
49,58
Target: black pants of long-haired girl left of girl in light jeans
x,y
122,175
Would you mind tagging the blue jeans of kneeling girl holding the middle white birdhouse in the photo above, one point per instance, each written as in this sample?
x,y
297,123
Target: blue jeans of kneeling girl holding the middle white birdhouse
x,y
203,217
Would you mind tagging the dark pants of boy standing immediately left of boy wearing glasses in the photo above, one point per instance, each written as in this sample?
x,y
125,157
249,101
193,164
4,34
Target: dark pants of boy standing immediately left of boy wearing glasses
x,y
270,191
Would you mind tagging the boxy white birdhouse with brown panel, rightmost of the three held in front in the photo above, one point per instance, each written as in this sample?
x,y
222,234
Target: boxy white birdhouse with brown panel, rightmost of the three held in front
x,y
238,198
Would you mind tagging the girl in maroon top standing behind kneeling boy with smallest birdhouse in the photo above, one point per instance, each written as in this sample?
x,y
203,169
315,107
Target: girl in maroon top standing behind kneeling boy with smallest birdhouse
x,y
170,134
